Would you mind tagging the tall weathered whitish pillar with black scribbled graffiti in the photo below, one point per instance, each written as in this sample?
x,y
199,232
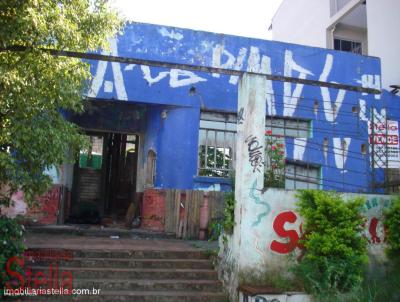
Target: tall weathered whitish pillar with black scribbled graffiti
x,y
250,158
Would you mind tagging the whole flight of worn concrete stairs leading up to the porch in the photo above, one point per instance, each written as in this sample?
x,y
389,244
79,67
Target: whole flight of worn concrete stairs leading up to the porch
x,y
124,270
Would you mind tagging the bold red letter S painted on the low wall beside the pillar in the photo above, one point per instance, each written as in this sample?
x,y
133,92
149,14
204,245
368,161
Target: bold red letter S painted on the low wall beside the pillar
x,y
279,227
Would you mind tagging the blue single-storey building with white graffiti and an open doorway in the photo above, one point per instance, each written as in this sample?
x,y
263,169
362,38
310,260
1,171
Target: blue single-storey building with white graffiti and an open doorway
x,y
175,128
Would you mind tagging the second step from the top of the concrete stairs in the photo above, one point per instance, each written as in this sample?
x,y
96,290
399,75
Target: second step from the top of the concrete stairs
x,y
126,263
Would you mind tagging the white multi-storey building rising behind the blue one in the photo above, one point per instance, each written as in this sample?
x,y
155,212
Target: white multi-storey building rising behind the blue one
x,y
359,26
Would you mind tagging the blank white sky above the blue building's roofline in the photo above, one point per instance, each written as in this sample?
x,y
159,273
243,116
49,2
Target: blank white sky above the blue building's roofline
x,y
250,18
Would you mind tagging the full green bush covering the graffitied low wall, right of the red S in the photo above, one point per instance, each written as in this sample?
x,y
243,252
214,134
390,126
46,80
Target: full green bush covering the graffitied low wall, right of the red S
x,y
335,252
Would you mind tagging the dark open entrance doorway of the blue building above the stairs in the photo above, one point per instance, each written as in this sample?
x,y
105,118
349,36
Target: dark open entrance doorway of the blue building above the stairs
x,y
105,178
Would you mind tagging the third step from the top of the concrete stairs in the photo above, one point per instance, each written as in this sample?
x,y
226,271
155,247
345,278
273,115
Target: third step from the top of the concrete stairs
x,y
131,273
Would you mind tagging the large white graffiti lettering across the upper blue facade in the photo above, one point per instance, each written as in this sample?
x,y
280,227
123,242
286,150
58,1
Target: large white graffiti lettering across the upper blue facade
x,y
222,58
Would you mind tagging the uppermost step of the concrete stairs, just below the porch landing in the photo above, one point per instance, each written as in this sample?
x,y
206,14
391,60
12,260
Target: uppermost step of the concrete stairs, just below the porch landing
x,y
127,254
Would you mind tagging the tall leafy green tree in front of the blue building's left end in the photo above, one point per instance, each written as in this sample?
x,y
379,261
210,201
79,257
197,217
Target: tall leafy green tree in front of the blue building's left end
x,y
37,88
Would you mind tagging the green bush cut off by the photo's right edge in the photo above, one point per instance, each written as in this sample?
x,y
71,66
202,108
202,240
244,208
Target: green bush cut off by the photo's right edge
x,y
392,224
